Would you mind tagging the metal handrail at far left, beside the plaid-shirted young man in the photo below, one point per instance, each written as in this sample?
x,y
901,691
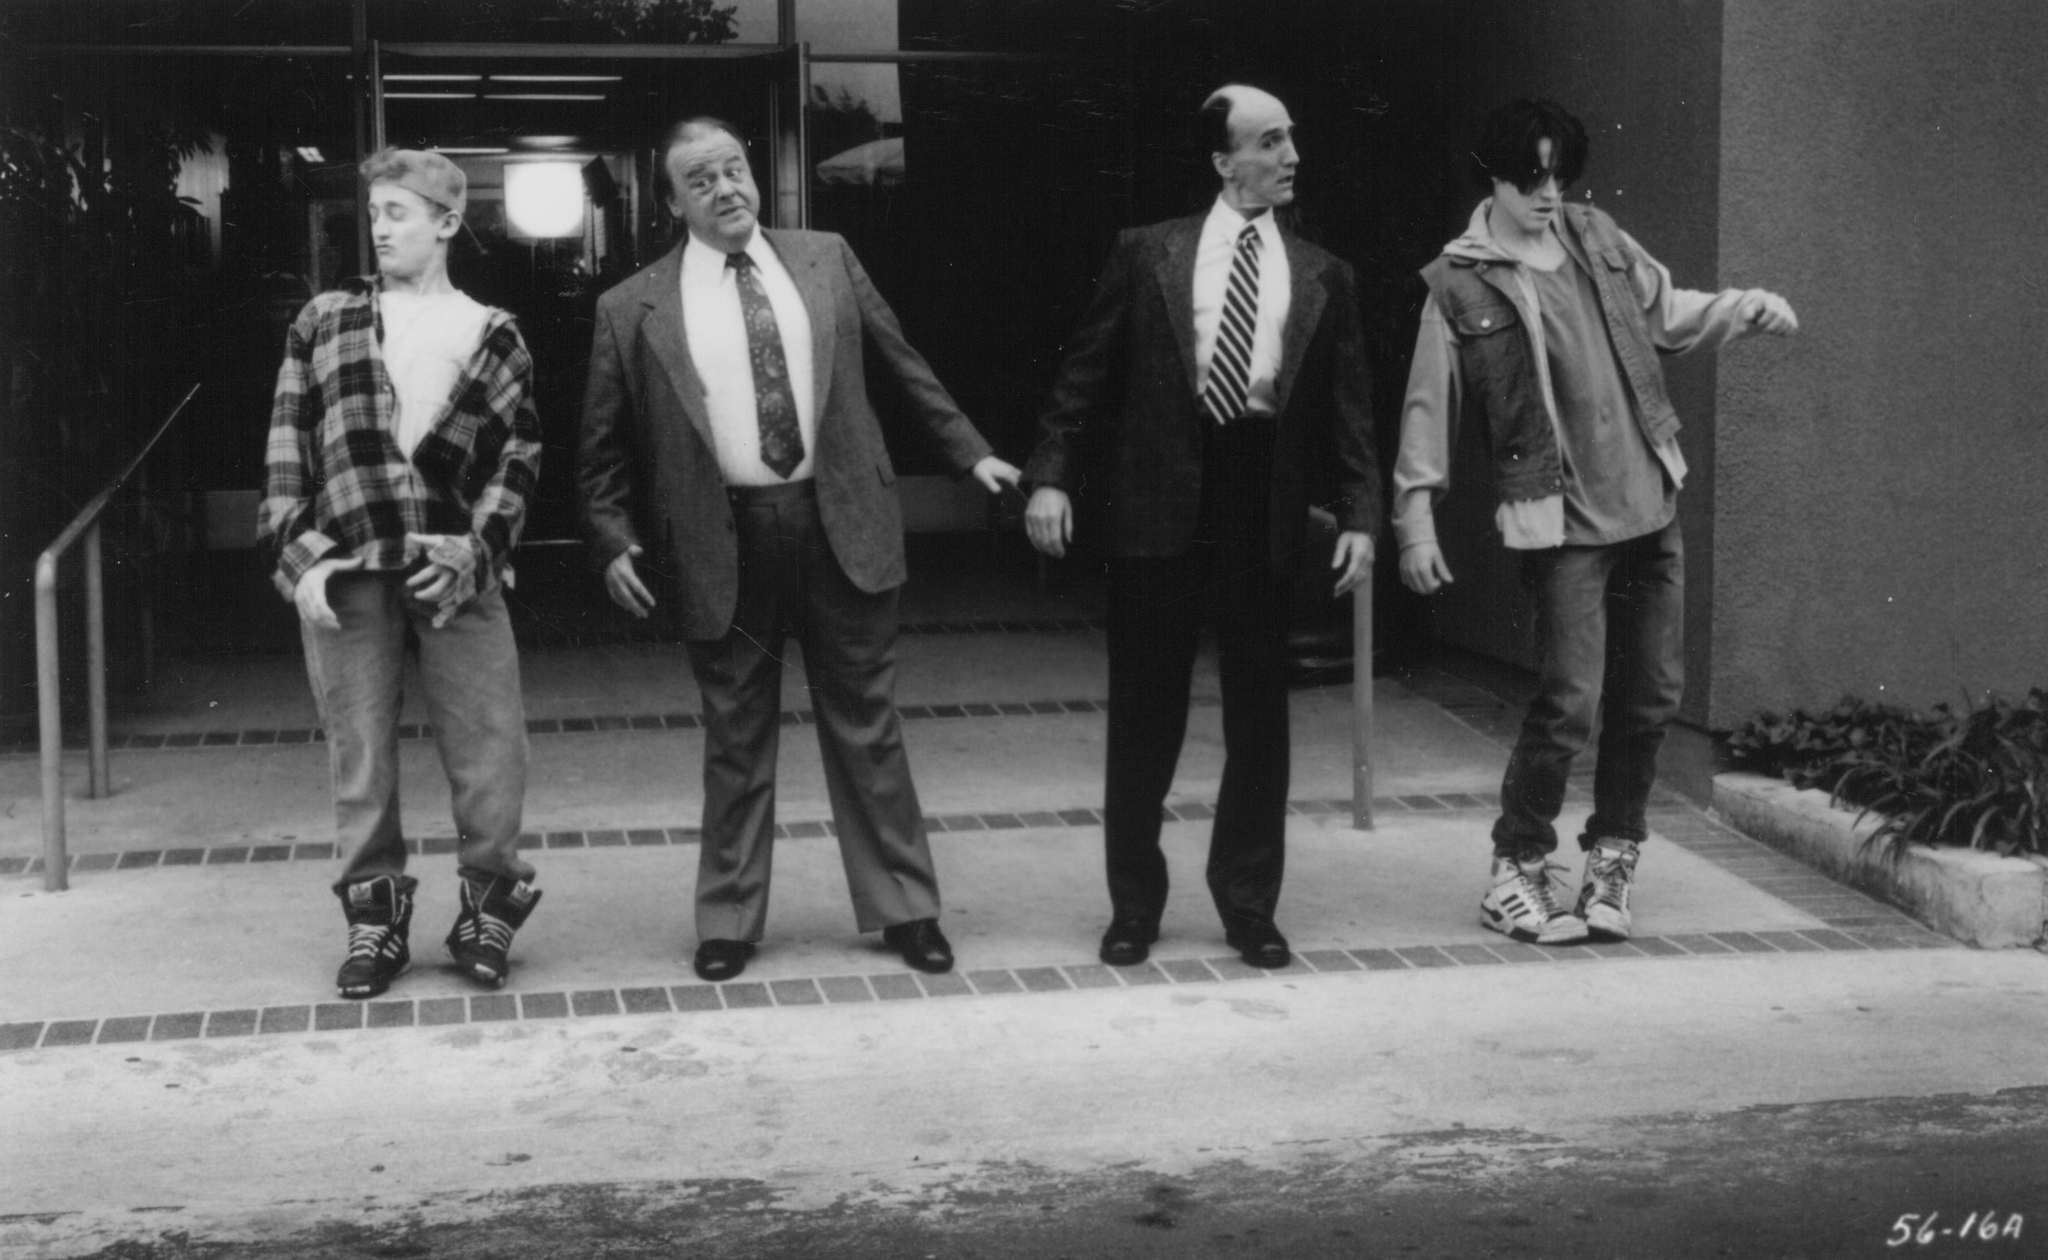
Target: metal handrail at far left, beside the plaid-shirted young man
x,y
56,866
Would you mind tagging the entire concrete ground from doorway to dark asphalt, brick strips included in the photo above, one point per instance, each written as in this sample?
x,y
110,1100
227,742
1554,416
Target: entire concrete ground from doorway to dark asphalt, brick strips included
x,y
177,1073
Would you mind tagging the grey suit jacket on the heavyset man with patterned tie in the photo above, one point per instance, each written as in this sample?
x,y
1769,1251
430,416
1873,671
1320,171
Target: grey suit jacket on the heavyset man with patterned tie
x,y
648,470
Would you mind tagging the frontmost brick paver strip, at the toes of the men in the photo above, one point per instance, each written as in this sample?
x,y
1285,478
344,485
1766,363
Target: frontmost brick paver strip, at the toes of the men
x,y
906,986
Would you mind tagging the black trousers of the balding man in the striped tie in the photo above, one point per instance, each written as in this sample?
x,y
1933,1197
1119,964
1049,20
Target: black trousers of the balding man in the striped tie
x,y
1156,616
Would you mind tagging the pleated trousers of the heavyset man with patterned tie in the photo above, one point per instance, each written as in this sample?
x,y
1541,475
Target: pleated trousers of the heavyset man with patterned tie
x,y
792,585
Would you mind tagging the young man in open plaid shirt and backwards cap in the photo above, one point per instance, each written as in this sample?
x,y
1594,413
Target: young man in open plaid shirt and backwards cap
x,y
402,452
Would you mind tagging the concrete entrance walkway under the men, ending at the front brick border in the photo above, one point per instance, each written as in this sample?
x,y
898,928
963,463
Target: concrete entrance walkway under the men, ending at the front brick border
x,y
224,855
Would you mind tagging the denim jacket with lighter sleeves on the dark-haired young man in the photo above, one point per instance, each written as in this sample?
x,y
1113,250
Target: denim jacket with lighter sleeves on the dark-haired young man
x,y
1480,355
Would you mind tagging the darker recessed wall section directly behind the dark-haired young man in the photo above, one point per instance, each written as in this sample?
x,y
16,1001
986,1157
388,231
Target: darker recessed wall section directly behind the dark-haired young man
x,y
1646,79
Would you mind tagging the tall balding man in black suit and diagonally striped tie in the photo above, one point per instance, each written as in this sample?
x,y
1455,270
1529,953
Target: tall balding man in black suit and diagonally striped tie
x,y
1220,364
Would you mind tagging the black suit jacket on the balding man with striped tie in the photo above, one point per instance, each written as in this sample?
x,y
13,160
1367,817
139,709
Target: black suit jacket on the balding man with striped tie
x,y
1123,405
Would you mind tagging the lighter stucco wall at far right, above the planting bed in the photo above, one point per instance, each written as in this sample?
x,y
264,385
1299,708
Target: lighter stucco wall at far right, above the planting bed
x,y
1881,487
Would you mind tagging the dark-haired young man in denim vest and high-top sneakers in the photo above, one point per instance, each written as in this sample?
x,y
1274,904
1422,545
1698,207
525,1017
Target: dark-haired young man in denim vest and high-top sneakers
x,y
1545,325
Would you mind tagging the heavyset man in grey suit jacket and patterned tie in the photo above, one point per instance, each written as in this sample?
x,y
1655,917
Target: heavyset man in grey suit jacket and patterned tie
x,y
730,446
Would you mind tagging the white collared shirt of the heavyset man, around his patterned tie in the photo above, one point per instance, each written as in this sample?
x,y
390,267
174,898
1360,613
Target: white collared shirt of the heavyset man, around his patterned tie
x,y
718,335
